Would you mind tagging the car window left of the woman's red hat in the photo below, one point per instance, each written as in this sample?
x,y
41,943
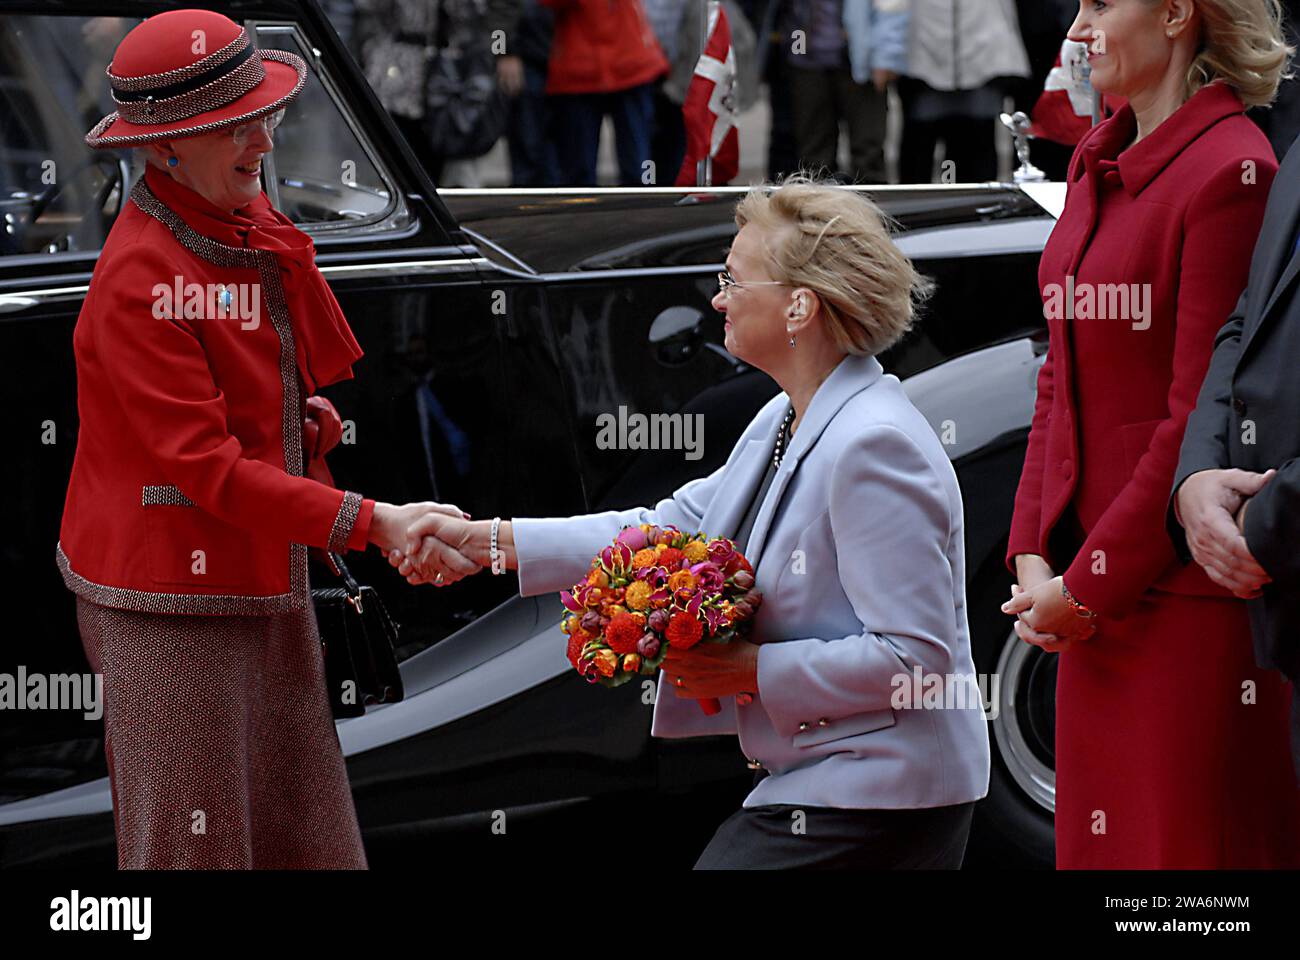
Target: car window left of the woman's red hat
x,y
57,194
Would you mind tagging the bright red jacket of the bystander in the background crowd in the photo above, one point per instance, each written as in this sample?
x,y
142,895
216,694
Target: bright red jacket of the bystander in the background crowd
x,y
603,46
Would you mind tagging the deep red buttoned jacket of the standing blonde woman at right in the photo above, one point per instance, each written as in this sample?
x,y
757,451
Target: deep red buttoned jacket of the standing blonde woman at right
x,y
1180,211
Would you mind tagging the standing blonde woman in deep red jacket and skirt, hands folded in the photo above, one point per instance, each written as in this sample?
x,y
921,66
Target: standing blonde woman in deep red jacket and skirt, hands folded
x,y
1171,743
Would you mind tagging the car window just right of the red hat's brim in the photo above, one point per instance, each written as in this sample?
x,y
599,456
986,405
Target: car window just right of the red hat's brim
x,y
322,172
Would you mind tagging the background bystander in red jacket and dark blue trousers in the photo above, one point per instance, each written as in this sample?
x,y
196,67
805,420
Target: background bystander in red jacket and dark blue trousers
x,y
605,60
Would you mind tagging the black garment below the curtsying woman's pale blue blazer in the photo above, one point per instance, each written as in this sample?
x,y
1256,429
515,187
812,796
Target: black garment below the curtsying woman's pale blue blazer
x,y
774,838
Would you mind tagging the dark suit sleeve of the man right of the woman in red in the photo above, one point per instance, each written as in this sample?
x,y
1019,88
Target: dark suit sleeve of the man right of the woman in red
x,y
1206,442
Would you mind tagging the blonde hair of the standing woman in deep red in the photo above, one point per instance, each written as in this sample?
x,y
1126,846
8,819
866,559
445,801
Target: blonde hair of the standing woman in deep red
x,y
1242,45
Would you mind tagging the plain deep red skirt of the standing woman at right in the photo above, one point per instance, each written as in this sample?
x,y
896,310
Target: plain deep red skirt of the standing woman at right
x,y
1172,746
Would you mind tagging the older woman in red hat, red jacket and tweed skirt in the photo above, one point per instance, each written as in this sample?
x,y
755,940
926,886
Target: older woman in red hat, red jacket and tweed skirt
x,y
200,482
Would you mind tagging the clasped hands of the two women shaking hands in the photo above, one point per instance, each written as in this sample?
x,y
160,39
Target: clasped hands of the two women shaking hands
x,y
437,543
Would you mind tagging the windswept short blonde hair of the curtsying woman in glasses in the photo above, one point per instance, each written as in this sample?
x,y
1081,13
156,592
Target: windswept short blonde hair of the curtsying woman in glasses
x,y
837,243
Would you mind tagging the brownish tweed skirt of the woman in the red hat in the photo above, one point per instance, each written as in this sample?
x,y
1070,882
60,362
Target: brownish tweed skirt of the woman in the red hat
x,y
220,742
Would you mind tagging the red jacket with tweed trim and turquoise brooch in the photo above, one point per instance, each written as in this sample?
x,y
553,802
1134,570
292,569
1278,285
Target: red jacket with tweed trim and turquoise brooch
x,y
188,491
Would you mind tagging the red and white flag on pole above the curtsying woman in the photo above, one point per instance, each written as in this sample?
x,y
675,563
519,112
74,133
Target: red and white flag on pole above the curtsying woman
x,y
710,107
